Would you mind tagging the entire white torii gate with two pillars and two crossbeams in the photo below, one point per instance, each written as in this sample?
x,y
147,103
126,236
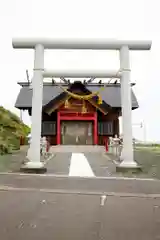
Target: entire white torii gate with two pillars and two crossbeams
x,y
39,45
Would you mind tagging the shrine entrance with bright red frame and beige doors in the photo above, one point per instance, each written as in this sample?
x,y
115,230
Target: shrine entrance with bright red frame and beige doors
x,y
77,128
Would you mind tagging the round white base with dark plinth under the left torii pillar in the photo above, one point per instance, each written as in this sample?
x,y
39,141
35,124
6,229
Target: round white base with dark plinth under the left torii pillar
x,y
33,167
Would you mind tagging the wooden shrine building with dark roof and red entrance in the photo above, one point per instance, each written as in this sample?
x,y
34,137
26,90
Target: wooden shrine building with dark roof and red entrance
x,y
78,113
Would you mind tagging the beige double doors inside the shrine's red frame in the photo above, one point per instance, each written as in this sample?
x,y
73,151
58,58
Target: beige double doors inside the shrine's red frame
x,y
76,133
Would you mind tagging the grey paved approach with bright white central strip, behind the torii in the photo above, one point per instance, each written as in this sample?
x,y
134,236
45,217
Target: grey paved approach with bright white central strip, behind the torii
x,y
81,164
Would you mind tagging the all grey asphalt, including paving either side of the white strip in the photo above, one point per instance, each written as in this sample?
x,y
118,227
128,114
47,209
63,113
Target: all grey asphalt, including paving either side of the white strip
x,y
62,207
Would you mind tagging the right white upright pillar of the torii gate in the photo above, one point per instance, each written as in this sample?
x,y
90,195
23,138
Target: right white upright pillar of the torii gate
x,y
127,152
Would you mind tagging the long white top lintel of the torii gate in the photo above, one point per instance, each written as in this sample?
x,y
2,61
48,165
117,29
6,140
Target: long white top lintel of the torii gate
x,y
81,43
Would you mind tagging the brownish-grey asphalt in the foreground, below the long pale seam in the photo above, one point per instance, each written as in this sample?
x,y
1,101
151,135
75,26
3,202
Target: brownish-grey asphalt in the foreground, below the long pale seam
x,y
43,215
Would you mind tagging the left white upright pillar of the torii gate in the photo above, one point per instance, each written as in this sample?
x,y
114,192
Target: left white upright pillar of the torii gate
x,y
37,85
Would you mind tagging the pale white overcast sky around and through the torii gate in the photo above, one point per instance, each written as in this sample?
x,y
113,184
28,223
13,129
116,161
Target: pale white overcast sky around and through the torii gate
x,y
125,19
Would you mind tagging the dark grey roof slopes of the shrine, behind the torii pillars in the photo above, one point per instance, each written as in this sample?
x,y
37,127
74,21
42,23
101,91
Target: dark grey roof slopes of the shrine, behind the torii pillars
x,y
111,95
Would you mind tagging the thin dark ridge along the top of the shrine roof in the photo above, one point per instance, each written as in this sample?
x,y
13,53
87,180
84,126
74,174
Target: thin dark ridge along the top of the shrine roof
x,y
26,84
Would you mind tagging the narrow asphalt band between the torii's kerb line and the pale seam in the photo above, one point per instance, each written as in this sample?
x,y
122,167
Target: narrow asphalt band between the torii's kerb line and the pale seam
x,y
78,184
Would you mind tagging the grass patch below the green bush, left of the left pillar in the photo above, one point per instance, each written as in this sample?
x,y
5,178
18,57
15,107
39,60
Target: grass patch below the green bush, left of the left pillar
x,y
12,162
